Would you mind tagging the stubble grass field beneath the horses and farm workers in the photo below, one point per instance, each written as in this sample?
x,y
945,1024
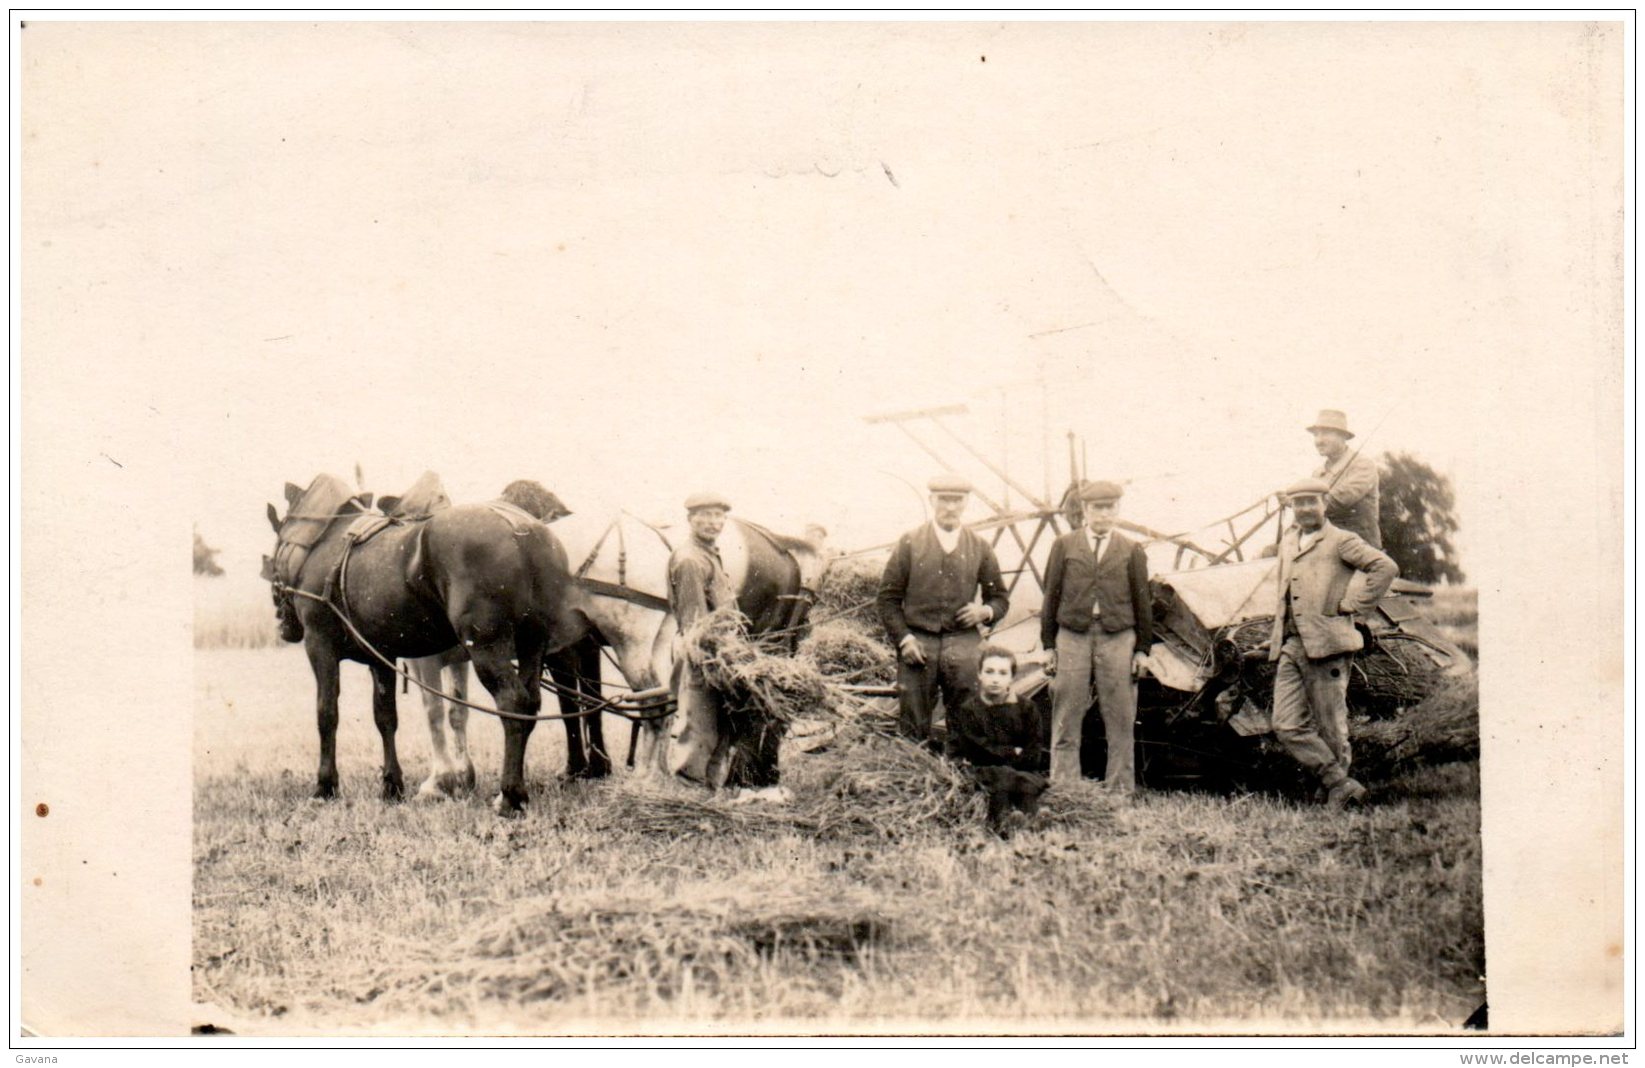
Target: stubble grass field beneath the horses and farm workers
x,y
1179,912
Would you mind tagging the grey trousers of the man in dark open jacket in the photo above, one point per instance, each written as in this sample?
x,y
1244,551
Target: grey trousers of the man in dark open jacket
x,y
1108,659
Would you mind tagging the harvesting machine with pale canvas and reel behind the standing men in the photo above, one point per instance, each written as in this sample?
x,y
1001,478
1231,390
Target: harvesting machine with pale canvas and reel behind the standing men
x,y
1203,705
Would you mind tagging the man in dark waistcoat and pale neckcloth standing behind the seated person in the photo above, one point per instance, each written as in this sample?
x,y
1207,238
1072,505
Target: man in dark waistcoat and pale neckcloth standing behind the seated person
x,y
929,605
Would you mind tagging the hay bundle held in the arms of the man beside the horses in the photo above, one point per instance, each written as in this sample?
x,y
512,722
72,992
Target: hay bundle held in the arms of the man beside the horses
x,y
751,679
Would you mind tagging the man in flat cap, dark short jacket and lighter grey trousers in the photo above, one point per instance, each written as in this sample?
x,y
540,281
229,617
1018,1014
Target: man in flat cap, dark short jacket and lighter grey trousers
x,y
1096,625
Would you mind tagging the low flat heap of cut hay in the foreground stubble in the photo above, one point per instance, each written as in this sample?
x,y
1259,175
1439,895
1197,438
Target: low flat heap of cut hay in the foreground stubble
x,y
572,945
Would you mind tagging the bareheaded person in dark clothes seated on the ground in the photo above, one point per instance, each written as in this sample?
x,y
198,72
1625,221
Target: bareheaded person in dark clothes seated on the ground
x,y
999,740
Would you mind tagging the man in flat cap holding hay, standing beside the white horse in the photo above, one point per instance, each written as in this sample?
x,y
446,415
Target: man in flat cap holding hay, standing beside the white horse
x,y
700,741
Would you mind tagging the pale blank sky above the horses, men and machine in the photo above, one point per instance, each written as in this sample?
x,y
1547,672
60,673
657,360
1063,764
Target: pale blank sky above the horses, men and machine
x,y
634,261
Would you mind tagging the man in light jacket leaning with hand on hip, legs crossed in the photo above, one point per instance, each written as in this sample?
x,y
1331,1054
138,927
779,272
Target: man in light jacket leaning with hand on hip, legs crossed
x,y
1314,638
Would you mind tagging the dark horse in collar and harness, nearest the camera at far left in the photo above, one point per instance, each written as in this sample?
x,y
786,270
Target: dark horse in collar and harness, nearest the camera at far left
x,y
481,577
